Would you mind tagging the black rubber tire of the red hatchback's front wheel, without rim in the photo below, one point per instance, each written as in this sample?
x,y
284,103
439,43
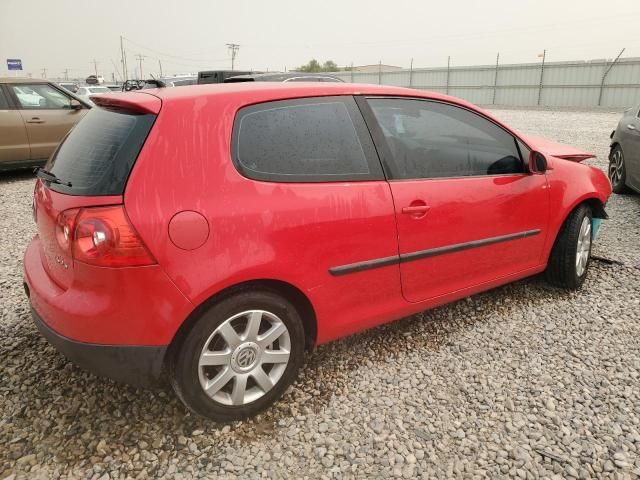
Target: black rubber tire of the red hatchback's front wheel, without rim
x,y
561,269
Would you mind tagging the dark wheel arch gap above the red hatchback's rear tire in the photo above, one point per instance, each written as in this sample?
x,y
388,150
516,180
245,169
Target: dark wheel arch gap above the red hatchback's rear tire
x,y
288,291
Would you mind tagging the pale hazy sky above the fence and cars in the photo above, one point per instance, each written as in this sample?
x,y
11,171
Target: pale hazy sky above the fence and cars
x,y
190,35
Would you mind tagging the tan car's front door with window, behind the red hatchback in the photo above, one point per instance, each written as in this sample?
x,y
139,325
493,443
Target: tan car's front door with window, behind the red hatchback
x,y
47,114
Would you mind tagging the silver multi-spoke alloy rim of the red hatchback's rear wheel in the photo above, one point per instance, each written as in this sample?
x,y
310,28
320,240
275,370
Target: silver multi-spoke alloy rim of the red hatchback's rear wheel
x,y
244,357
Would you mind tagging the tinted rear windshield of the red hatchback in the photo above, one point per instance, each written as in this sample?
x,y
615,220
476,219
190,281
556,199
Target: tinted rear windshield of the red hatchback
x,y
99,153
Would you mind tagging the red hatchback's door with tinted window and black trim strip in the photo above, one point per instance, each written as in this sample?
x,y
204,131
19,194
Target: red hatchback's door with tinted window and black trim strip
x,y
467,210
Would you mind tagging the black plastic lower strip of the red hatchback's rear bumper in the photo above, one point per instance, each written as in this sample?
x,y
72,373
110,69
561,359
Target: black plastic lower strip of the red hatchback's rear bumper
x,y
132,364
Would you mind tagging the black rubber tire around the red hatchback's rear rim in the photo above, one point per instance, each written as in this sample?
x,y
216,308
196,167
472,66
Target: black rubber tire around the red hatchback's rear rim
x,y
183,366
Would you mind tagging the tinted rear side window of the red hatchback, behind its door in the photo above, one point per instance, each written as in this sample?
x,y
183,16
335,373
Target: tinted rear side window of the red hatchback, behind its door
x,y
304,140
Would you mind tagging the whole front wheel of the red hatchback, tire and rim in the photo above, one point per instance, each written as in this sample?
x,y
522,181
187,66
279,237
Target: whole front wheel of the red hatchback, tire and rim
x,y
571,254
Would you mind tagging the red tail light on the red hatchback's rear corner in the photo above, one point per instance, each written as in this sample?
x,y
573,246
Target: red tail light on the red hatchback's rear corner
x,y
102,236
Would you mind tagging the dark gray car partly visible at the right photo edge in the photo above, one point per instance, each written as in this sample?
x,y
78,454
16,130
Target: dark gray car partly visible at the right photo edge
x,y
624,159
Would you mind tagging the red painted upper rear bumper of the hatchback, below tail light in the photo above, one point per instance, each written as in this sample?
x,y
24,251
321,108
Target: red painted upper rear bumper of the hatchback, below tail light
x,y
107,306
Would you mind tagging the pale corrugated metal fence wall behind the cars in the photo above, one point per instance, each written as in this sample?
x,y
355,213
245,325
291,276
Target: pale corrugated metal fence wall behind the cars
x,y
561,84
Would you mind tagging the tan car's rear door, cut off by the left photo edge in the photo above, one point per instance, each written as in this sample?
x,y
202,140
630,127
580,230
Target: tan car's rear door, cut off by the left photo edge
x,y
14,144
